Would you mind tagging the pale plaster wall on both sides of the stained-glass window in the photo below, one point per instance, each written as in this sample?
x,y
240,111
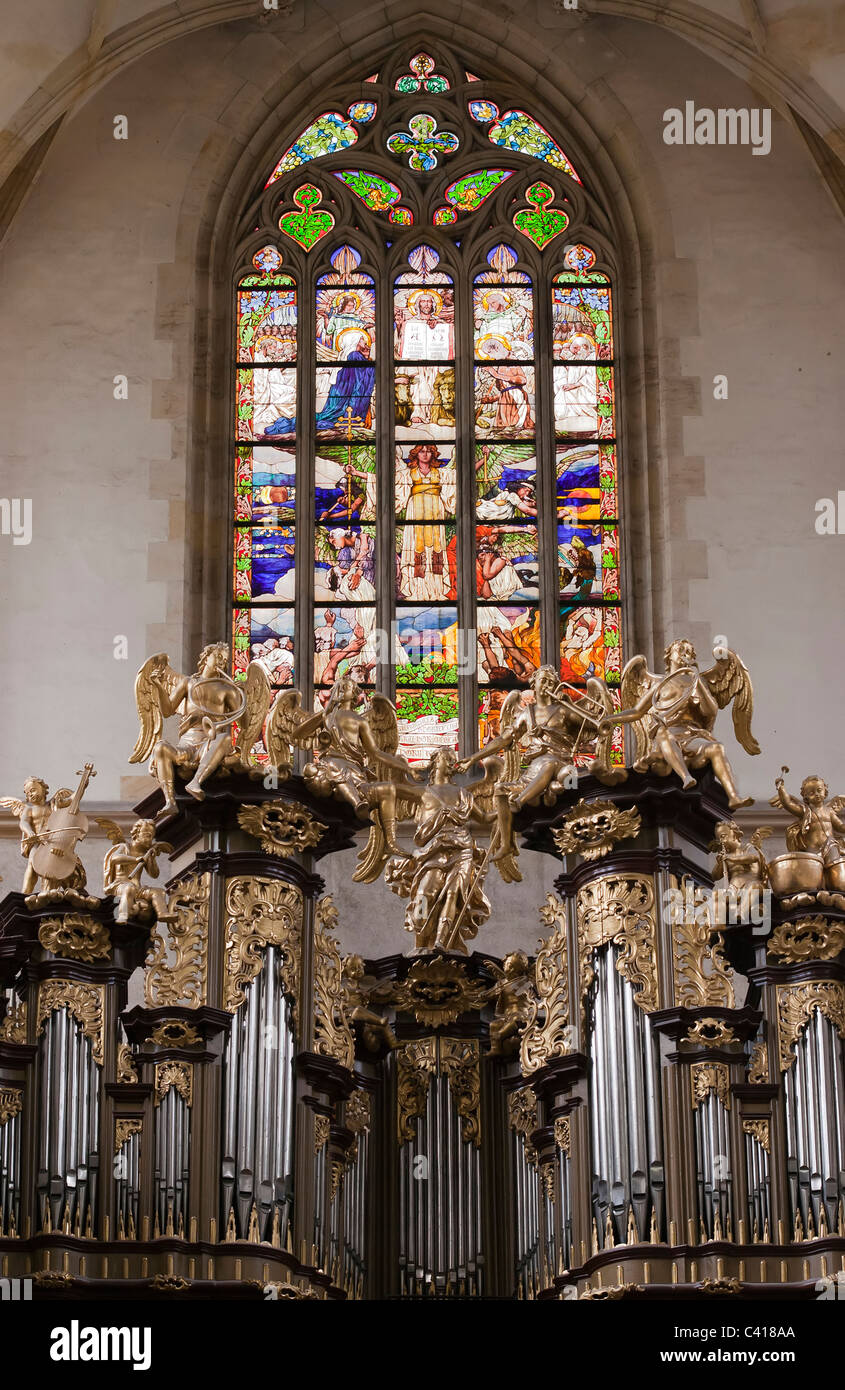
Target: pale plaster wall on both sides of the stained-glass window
x,y
98,277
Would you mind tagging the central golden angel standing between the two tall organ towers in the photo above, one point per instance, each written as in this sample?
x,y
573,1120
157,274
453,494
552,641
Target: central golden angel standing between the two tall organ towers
x,y
444,875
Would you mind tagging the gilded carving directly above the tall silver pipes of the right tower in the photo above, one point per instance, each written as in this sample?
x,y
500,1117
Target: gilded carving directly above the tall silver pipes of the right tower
x,y
621,908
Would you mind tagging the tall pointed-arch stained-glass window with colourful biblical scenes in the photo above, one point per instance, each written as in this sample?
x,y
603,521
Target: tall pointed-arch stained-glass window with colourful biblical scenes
x,y
426,429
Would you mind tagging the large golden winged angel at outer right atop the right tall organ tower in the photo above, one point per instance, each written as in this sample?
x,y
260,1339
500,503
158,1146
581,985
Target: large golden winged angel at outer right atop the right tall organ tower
x,y
673,715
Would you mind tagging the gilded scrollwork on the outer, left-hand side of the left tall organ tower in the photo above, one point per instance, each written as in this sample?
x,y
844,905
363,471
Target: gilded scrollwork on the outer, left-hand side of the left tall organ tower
x,y
177,967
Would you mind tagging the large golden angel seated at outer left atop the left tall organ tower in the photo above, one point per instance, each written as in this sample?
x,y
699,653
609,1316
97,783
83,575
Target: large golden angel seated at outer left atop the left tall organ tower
x,y
212,703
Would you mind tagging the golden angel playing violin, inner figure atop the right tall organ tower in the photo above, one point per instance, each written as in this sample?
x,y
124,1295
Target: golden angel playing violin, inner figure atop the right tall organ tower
x,y
547,735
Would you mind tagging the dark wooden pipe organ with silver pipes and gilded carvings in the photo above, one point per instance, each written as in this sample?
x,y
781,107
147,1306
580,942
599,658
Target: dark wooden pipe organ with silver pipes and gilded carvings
x,y
655,1102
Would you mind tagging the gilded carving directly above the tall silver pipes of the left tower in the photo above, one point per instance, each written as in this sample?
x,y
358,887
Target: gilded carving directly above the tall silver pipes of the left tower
x,y
261,913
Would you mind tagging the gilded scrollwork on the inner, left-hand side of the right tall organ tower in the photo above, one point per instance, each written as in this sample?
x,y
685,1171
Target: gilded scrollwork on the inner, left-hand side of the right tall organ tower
x,y
548,1031
